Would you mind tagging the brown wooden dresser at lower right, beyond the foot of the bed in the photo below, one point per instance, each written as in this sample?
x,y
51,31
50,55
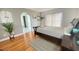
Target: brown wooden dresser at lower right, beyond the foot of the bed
x,y
70,43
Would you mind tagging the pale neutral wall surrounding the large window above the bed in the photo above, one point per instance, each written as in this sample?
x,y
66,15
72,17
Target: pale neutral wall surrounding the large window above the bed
x,y
68,14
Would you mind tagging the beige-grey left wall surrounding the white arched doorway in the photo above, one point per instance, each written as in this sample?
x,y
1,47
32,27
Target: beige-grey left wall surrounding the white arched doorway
x,y
16,13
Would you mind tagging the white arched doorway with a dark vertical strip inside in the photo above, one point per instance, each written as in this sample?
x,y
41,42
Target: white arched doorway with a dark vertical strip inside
x,y
26,22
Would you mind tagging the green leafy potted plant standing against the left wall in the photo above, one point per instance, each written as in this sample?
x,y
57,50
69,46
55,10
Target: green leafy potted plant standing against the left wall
x,y
8,27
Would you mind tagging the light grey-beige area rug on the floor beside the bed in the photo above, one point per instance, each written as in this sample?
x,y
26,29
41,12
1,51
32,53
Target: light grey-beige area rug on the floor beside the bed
x,y
44,45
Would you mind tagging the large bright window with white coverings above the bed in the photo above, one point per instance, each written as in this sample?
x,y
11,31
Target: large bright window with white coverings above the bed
x,y
54,20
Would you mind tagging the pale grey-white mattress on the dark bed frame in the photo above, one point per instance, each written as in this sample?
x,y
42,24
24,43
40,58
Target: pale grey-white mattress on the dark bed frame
x,y
52,31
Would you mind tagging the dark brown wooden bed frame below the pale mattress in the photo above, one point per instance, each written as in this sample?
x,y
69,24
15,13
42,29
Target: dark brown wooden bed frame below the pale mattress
x,y
54,40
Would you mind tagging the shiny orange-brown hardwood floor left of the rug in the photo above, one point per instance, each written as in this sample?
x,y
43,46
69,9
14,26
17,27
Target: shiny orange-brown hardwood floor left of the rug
x,y
20,43
